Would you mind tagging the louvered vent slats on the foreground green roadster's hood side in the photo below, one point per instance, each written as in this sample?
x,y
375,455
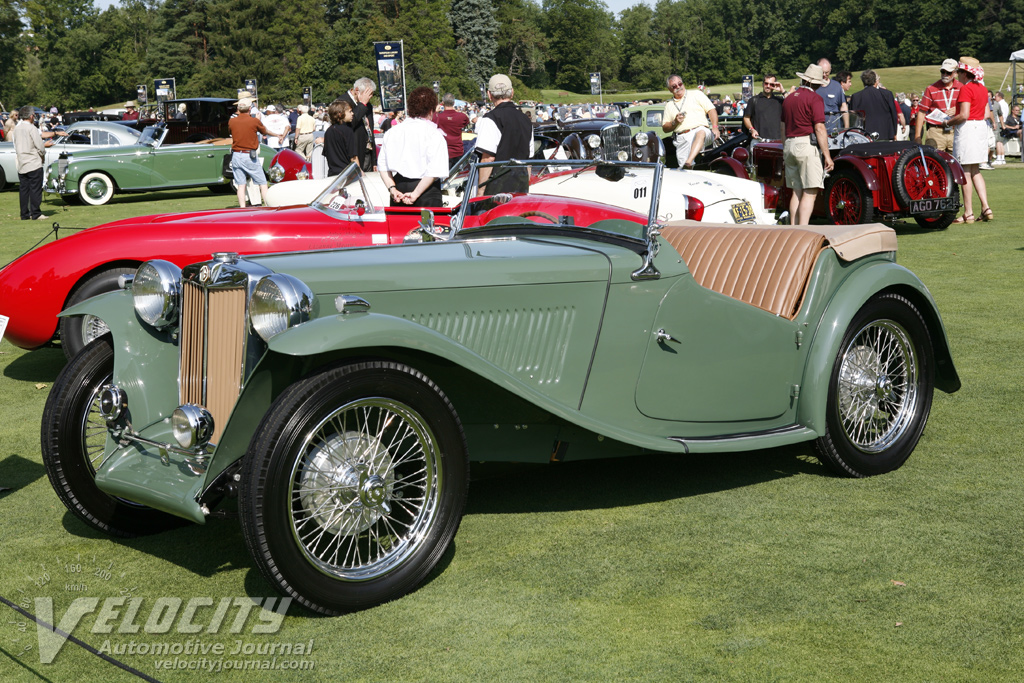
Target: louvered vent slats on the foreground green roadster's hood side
x,y
532,345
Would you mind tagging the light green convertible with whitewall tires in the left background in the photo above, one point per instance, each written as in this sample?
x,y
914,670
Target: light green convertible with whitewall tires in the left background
x,y
95,177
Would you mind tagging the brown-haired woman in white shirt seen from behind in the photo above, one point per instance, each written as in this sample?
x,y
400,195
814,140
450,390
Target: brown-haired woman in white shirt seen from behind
x,y
414,155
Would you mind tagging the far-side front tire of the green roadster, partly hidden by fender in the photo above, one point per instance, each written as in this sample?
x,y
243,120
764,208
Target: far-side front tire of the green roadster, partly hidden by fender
x,y
73,437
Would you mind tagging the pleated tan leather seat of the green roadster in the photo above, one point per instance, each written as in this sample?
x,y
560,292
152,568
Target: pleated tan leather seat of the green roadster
x,y
767,268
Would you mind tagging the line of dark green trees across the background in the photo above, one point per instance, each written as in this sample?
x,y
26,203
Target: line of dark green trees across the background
x,y
70,55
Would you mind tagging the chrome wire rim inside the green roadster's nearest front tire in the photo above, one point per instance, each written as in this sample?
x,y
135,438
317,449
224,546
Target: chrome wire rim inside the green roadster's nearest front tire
x,y
364,489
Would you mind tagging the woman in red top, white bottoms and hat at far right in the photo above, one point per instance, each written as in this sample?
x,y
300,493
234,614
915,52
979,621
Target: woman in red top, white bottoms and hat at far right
x,y
971,136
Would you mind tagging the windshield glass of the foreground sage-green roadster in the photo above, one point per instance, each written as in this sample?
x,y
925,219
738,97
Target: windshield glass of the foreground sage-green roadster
x,y
593,199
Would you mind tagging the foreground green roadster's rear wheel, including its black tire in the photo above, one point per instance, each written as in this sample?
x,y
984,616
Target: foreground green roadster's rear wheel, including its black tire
x,y
884,372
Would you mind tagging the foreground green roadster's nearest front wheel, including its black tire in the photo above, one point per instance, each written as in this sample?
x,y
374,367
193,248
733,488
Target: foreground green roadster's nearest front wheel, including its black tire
x,y
405,500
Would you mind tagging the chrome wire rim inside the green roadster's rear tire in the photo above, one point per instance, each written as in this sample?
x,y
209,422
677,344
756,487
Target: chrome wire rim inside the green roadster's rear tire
x,y
878,388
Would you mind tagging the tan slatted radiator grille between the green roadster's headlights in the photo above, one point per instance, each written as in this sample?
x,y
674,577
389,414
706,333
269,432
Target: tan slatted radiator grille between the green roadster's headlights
x,y
212,343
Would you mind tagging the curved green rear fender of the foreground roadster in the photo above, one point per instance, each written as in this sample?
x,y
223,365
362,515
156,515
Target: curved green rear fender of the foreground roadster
x,y
851,296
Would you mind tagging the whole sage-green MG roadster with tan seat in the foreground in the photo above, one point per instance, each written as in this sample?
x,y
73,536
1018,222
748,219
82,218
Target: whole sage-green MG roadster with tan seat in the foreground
x,y
336,398
